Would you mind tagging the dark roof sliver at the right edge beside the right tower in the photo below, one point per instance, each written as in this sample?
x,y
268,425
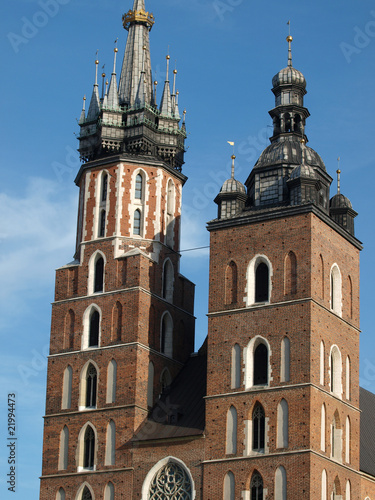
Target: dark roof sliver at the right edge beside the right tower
x,y
367,443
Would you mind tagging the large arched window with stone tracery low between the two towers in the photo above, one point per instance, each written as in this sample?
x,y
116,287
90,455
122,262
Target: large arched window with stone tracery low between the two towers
x,y
170,482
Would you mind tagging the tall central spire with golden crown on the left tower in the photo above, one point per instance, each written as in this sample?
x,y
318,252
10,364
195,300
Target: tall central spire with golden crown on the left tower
x,y
138,22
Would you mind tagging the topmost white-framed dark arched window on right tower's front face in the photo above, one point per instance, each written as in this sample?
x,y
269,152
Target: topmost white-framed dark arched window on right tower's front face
x,y
259,273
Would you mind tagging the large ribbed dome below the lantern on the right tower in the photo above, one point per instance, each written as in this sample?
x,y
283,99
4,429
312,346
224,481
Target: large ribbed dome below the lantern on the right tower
x,y
289,152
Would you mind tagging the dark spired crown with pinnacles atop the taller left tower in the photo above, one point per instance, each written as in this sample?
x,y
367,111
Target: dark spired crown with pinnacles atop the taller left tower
x,y
127,119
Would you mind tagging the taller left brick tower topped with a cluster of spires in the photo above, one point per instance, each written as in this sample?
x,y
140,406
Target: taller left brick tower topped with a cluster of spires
x,y
122,319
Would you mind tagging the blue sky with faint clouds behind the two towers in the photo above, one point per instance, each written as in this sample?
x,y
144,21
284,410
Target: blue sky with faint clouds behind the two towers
x,y
226,53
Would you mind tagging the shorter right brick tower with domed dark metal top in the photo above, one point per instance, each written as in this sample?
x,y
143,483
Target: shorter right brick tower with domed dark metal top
x,y
282,421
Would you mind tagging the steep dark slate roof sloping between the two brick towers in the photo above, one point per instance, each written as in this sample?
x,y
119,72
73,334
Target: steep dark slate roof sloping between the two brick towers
x,y
180,411
